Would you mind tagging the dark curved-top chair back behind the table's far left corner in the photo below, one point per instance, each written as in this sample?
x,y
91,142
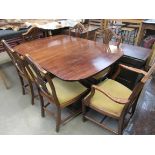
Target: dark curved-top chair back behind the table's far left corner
x,y
33,33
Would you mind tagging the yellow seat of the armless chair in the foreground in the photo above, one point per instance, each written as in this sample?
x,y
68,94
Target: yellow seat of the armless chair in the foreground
x,y
66,90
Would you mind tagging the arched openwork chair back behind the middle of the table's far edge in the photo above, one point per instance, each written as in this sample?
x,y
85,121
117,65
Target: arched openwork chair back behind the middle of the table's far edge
x,y
78,30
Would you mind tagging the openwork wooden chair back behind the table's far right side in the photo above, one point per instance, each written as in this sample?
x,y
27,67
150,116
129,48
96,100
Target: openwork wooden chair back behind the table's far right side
x,y
107,35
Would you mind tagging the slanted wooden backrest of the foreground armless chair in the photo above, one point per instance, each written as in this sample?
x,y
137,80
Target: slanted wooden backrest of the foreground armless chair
x,y
41,78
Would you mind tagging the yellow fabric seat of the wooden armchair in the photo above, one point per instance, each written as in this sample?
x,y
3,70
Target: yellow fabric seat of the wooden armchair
x,y
105,104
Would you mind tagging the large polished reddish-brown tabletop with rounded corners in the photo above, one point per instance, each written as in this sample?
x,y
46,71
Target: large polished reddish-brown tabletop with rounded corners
x,y
70,58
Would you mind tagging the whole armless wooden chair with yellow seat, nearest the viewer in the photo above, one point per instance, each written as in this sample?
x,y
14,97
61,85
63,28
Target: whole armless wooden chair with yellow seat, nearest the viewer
x,y
57,92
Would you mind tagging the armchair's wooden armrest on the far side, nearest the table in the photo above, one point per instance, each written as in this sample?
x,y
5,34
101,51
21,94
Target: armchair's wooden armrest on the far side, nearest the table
x,y
121,66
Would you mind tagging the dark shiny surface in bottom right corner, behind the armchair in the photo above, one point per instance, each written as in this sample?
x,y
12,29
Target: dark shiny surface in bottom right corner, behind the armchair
x,y
143,120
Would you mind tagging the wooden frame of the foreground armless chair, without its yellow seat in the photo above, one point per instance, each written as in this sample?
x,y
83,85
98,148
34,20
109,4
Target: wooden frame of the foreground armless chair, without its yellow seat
x,y
41,78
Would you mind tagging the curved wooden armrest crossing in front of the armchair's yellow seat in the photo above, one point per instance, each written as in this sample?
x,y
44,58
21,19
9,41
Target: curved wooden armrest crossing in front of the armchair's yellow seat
x,y
115,99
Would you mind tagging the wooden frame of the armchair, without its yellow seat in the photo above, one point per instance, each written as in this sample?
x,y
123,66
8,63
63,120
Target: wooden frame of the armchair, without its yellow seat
x,y
130,103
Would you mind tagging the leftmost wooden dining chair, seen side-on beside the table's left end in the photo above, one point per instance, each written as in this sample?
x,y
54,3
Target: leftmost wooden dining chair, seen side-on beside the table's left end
x,y
24,76
